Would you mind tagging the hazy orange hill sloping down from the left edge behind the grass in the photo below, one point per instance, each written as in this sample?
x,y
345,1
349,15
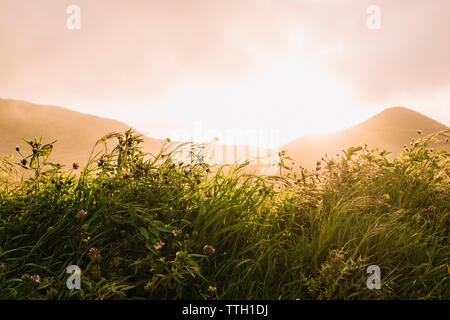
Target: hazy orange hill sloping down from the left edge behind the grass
x,y
75,132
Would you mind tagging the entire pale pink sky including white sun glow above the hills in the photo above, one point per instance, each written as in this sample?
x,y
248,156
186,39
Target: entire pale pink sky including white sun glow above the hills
x,y
279,69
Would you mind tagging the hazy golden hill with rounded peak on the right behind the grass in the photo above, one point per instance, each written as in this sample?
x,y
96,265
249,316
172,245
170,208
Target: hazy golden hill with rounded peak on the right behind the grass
x,y
389,130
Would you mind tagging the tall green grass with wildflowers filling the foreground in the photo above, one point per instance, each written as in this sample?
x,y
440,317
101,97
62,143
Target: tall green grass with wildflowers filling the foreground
x,y
146,227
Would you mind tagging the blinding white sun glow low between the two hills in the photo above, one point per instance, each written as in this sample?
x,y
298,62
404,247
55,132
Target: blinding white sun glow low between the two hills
x,y
290,94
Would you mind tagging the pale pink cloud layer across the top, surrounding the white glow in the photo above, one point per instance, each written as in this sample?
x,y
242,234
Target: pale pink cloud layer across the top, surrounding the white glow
x,y
142,49
